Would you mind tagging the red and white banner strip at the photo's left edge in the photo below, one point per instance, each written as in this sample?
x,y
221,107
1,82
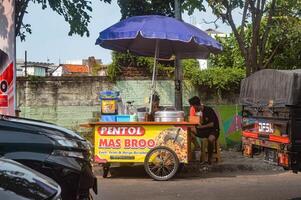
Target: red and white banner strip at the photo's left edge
x,y
7,57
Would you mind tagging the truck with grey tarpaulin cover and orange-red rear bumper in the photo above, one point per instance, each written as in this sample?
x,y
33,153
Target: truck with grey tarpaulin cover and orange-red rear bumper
x,y
271,112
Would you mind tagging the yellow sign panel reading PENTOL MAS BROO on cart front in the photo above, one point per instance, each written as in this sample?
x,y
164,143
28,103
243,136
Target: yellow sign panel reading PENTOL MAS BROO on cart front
x,y
131,143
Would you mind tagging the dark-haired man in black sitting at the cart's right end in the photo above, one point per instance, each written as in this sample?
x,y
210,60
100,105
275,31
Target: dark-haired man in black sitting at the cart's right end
x,y
209,127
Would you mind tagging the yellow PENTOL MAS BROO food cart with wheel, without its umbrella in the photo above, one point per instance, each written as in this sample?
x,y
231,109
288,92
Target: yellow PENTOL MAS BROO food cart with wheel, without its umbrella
x,y
160,146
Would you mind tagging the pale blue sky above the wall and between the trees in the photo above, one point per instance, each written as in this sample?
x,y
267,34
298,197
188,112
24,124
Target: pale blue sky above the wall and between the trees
x,y
49,41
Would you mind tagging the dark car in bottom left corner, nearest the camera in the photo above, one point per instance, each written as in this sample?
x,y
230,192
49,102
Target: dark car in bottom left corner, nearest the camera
x,y
18,182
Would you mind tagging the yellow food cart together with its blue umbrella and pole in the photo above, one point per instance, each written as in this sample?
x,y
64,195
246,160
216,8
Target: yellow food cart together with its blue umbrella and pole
x,y
161,146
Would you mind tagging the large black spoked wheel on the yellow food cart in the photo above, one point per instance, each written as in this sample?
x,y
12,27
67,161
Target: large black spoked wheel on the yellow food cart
x,y
161,163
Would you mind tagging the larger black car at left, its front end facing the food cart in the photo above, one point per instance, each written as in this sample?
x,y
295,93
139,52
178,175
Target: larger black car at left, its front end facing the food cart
x,y
56,152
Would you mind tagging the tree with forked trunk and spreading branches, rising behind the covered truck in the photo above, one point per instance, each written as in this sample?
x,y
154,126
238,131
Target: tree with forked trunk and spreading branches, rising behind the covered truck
x,y
253,12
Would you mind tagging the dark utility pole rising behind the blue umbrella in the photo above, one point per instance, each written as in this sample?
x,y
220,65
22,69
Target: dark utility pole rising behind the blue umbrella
x,y
178,66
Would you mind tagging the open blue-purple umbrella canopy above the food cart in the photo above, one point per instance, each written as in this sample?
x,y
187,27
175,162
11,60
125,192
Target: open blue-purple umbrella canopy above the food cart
x,y
142,35
